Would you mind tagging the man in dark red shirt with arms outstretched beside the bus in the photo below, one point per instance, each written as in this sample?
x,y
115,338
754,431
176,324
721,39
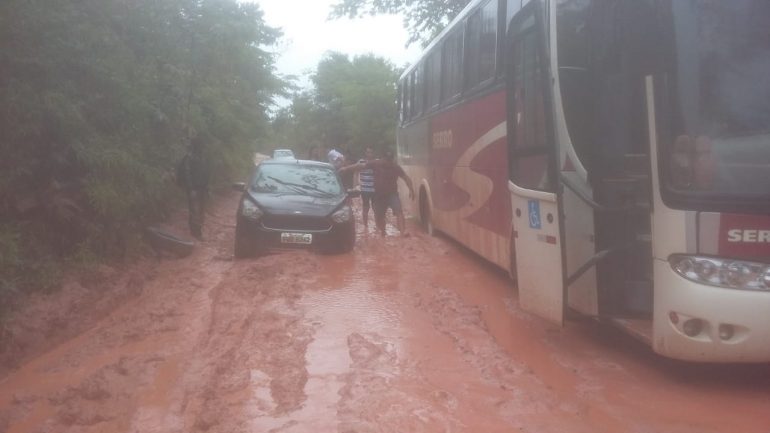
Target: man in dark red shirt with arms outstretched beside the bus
x,y
386,173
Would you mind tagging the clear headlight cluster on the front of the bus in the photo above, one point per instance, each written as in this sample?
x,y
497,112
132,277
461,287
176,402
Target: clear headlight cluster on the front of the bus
x,y
732,274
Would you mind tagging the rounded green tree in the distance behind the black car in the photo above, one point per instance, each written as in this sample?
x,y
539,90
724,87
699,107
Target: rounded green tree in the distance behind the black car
x,y
352,106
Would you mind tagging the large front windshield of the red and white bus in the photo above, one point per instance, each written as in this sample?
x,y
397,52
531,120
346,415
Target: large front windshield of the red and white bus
x,y
720,148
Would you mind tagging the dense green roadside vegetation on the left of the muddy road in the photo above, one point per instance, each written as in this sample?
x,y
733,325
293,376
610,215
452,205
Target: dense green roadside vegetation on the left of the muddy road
x,y
99,99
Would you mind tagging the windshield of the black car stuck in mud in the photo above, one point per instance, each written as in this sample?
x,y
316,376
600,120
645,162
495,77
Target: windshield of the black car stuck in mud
x,y
299,179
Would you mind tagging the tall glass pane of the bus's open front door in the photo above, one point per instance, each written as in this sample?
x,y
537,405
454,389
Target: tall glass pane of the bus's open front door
x,y
530,164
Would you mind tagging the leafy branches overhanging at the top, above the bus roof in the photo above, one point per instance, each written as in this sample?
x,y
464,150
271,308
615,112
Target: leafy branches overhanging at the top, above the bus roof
x,y
424,19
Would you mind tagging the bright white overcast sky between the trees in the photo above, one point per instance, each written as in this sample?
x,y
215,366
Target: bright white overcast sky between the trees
x,y
308,35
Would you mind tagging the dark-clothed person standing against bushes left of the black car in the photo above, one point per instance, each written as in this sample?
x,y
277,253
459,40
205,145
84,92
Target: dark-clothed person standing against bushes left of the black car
x,y
193,175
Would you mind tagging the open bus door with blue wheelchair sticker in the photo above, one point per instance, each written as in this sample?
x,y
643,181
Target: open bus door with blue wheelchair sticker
x,y
537,222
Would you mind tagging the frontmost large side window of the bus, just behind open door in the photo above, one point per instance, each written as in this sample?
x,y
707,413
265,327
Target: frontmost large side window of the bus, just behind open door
x,y
481,45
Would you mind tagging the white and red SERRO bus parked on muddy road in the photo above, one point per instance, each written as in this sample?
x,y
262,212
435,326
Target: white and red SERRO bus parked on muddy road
x,y
613,155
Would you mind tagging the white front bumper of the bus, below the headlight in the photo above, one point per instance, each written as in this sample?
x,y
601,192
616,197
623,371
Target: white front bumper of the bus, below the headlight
x,y
733,326
